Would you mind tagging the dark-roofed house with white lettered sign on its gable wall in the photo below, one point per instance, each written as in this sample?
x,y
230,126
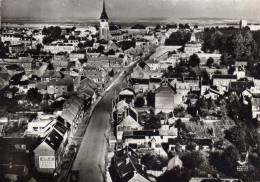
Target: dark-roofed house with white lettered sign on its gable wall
x,y
48,154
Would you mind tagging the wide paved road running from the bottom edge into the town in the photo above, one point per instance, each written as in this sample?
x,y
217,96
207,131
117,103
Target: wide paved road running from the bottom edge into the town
x,y
91,156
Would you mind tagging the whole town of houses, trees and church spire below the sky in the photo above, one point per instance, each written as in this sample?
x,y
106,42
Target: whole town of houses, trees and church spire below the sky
x,y
135,102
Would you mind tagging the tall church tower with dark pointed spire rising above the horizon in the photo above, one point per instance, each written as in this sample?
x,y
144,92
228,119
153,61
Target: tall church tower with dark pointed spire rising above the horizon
x,y
104,26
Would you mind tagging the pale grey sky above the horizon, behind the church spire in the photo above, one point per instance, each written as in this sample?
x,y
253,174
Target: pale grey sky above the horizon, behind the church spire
x,y
131,9
